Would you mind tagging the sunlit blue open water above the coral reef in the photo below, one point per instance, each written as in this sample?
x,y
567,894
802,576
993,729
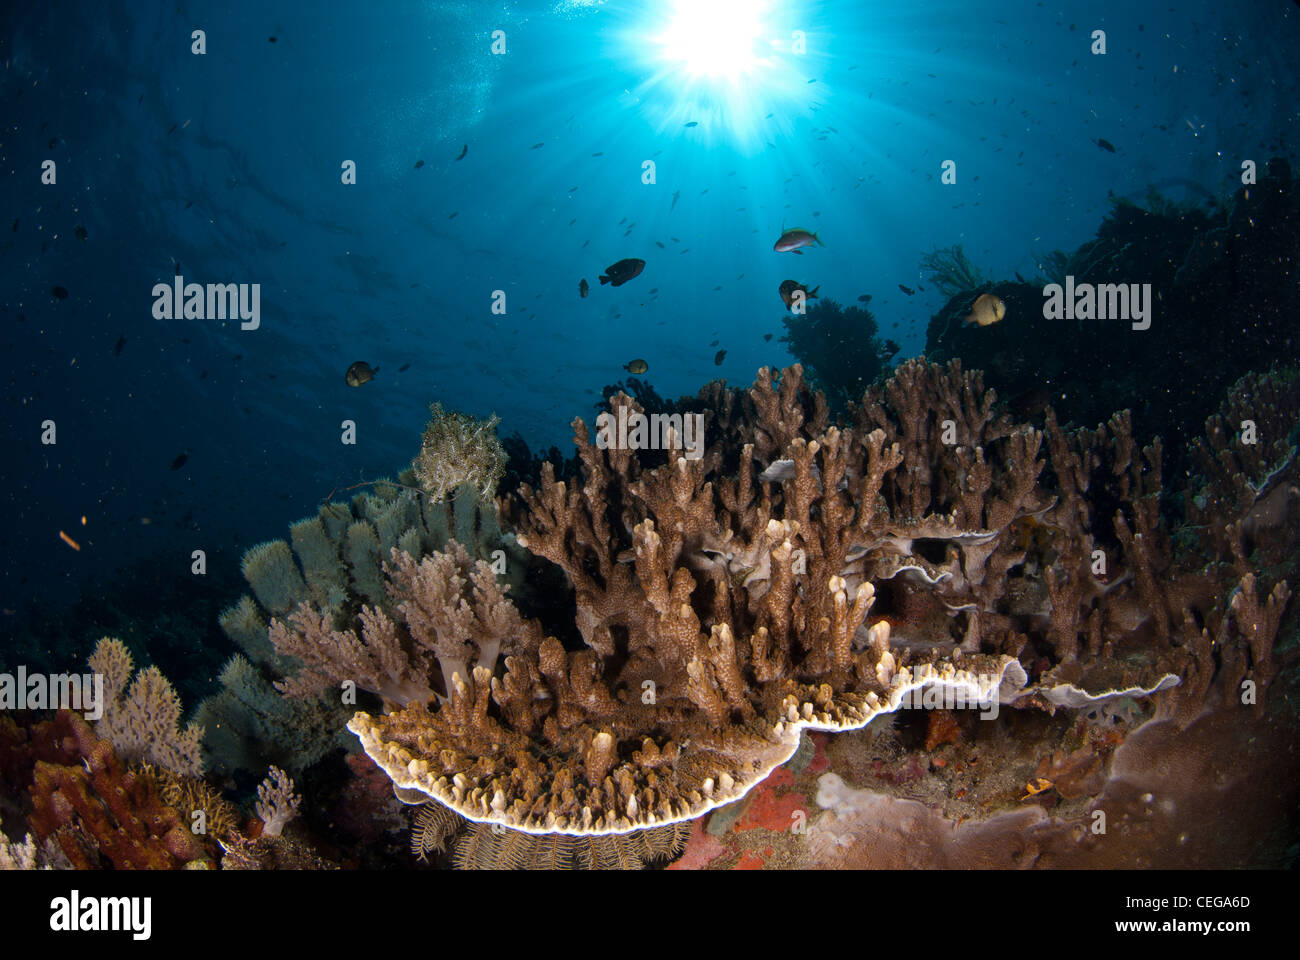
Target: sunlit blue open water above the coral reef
x,y
228,166
